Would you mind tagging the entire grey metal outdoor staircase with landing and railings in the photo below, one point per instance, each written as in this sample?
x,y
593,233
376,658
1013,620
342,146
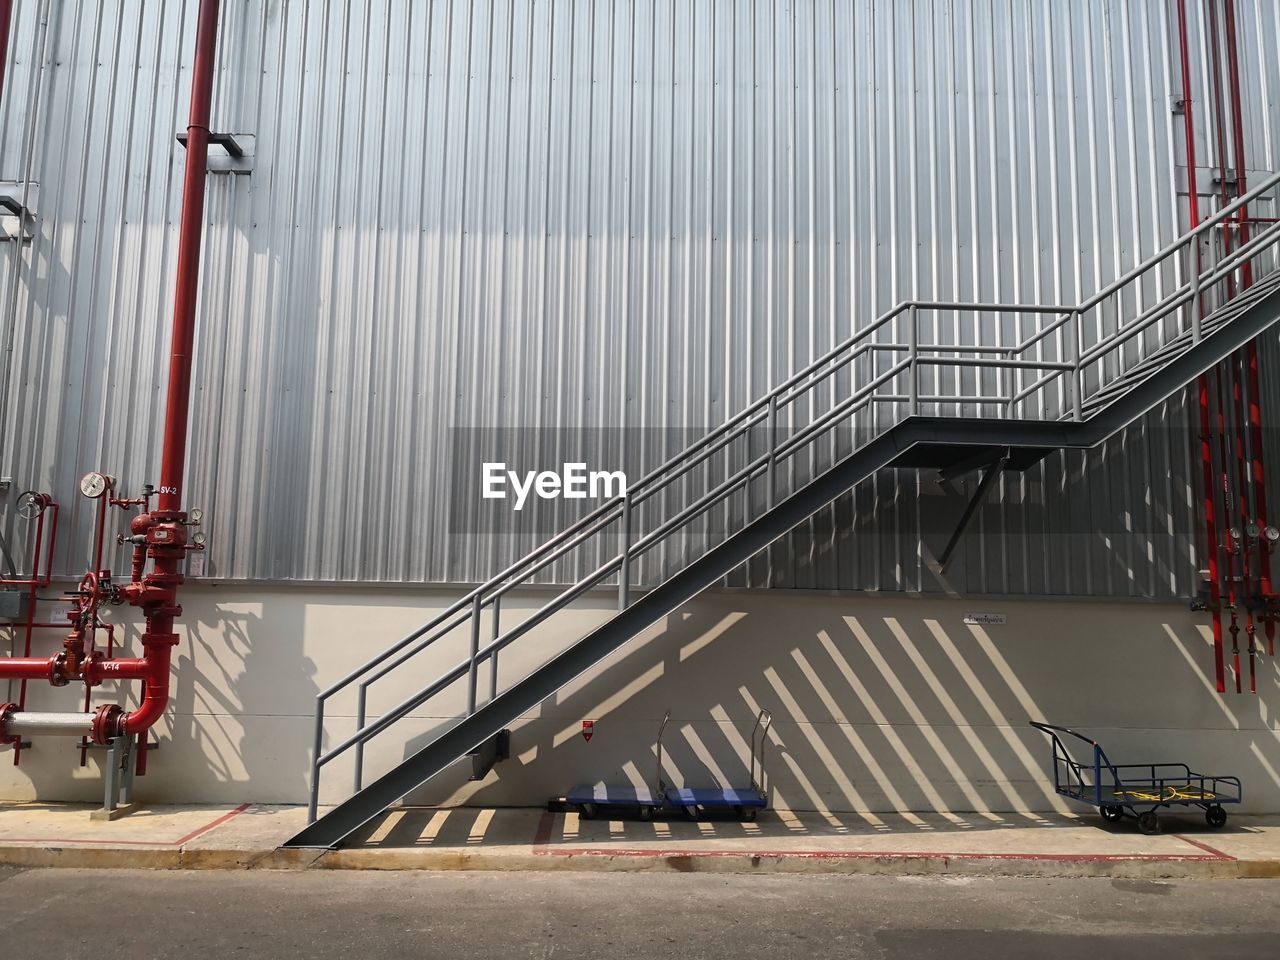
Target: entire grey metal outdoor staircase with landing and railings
x,y
986,394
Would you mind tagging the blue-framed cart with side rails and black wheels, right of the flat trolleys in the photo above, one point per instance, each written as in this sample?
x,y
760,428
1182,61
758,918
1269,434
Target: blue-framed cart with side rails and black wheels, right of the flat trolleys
x,y
1136,789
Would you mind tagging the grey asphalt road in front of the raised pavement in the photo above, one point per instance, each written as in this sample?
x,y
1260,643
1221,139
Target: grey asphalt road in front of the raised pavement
x,y
106,915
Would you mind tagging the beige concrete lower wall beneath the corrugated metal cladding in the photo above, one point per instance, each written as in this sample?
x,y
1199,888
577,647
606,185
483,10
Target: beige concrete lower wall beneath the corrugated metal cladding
x,y
880,703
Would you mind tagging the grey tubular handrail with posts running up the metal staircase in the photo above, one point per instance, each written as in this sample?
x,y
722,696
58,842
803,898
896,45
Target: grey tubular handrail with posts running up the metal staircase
x,y
1005,363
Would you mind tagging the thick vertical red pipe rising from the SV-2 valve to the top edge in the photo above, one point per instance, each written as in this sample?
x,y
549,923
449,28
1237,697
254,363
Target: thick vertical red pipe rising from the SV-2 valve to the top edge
x,y
190,235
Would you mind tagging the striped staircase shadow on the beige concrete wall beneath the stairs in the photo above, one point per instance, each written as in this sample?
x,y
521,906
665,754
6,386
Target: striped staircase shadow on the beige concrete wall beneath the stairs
x,y
890,706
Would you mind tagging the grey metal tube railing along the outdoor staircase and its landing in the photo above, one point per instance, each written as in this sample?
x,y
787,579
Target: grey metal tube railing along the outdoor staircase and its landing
x,y
890,373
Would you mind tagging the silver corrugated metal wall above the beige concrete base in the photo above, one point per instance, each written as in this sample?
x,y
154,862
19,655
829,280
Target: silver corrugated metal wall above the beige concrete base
x,y
604,216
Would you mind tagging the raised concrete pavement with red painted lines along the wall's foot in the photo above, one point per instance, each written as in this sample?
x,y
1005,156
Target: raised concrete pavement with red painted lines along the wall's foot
x,y
473,839
